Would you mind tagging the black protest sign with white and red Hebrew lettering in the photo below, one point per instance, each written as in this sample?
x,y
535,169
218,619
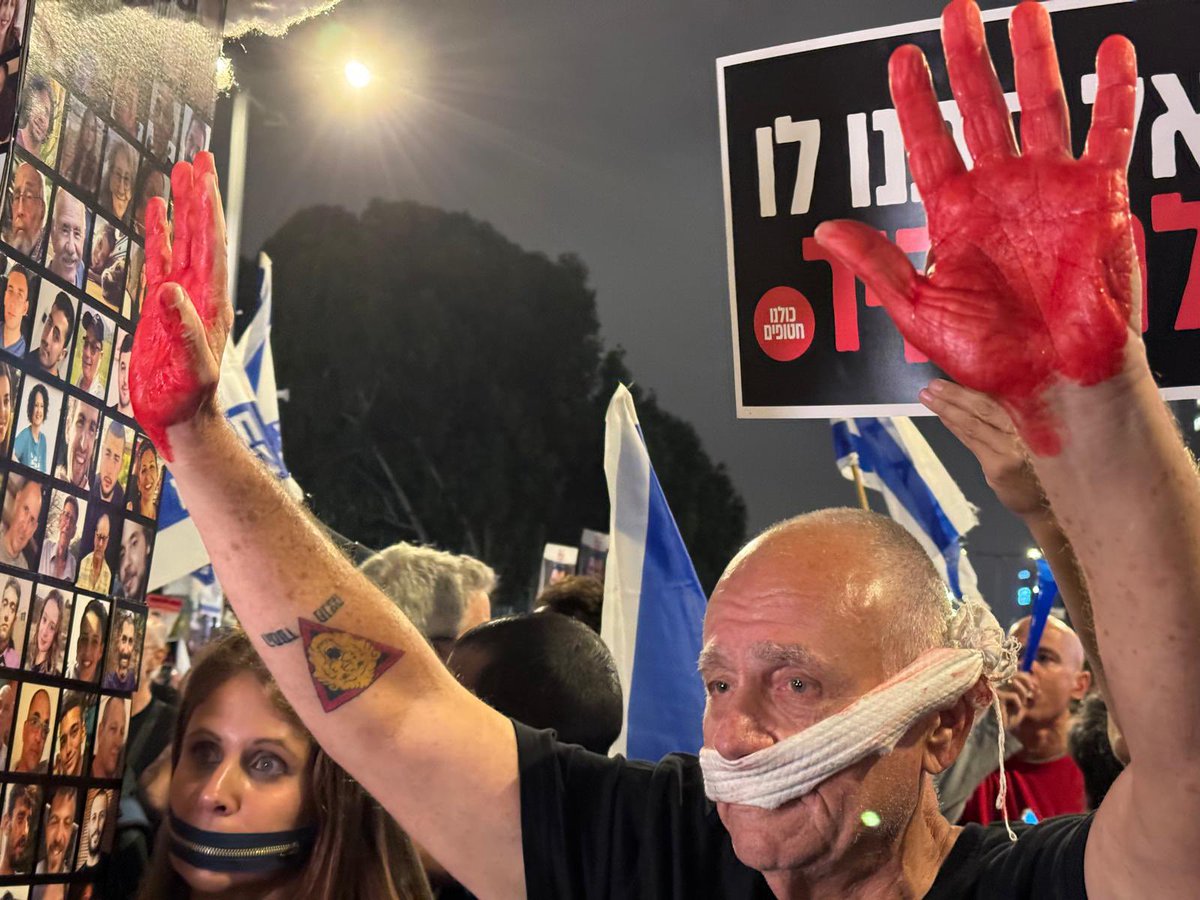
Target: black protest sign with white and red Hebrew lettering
x,y
809,134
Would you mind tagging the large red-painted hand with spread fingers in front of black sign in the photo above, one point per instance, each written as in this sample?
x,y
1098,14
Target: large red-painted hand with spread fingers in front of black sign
x,y
1033,267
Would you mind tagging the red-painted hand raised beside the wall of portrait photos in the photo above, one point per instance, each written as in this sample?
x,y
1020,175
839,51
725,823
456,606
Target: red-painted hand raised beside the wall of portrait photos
x,y
188,316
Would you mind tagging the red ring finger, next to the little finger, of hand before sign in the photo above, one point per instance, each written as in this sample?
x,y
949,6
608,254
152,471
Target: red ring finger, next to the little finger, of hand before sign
x,y
1046,123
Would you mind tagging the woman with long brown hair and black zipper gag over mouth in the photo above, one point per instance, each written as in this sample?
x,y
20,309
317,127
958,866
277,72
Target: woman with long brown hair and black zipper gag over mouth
x,y
245,773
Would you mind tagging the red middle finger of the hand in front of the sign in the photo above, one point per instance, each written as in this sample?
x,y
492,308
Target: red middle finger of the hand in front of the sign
x,y
986,121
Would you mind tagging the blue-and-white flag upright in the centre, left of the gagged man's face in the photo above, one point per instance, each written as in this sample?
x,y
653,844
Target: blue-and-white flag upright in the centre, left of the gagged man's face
x,y
653,604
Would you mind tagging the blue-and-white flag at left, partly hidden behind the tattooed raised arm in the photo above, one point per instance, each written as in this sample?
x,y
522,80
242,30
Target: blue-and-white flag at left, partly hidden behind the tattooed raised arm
x,y
250,400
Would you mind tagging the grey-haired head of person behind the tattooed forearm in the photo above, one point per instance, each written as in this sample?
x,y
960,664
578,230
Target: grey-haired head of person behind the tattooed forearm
x,y
443,595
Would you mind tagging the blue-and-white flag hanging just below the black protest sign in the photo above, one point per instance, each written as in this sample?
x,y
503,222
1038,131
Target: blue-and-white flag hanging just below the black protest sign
x,y
897,461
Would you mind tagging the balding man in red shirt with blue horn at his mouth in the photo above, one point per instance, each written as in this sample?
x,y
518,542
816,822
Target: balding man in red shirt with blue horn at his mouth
x,y
1043,779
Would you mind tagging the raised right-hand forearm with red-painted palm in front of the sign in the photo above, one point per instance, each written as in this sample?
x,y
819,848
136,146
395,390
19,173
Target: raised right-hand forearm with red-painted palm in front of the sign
x,y
1028,298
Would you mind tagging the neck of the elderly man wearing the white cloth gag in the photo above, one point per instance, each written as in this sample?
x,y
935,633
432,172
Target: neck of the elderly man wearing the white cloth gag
x,y
904,868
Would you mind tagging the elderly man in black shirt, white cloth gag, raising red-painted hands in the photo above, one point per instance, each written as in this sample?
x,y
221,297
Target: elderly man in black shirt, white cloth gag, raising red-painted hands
x,y
838,681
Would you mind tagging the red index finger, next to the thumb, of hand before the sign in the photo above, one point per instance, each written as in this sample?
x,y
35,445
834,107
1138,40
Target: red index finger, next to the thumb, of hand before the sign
x,y
933,155
